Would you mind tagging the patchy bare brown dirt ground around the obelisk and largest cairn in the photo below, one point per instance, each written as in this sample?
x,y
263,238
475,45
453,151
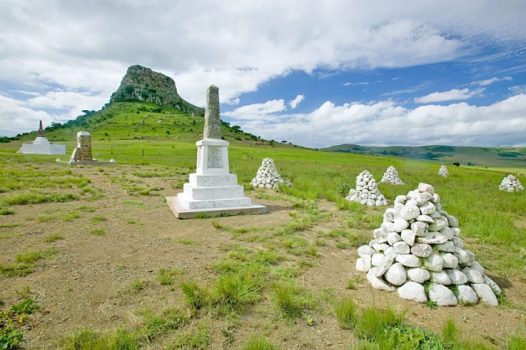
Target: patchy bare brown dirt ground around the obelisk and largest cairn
x,y
119,239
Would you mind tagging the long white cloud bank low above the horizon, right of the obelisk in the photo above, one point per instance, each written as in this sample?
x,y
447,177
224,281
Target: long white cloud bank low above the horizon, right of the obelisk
x,y
386,123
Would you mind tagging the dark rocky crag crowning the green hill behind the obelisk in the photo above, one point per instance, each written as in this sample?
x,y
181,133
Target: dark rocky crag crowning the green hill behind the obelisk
x,y
145,85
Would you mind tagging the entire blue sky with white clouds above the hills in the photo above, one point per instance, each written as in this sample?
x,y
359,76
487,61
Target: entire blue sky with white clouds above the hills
x,y
313,73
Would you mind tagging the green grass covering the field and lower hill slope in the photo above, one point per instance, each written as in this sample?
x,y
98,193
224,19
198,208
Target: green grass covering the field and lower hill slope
x,y
256,271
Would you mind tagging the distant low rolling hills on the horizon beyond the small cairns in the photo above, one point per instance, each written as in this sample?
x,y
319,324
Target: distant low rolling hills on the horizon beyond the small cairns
x,y
473,156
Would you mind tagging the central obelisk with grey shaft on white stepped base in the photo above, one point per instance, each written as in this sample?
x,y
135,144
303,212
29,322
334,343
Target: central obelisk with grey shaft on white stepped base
x,y
212,190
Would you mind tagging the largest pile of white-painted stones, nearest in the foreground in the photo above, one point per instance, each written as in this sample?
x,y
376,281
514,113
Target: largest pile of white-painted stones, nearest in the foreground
x,y
418,252
